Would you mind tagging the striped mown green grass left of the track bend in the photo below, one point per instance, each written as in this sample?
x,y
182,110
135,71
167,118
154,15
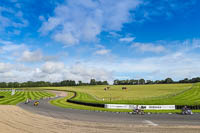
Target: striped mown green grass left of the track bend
x,y
21,96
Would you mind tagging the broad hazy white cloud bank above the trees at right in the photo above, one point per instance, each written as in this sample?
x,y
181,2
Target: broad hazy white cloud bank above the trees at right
x,y
177,65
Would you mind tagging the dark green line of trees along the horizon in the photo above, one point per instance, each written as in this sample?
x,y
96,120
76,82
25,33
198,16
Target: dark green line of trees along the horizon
x,y
93,82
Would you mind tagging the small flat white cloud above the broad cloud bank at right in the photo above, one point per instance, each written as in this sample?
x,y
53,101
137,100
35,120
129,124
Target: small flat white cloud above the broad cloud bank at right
x,y
148,47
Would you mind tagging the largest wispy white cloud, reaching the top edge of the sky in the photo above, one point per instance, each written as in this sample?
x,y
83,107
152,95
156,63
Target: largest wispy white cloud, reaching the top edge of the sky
x,y
77,21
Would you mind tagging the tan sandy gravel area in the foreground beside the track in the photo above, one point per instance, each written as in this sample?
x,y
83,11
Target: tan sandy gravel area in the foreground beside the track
x,y
15,119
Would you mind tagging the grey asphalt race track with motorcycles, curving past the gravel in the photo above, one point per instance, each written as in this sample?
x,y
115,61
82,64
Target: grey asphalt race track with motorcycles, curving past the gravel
x,y
45,108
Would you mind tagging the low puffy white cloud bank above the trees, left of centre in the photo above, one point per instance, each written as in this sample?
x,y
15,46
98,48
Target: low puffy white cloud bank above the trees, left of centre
x,y
57,71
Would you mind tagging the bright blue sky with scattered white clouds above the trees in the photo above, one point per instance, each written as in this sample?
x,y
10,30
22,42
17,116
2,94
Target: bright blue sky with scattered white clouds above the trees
x,y
55,40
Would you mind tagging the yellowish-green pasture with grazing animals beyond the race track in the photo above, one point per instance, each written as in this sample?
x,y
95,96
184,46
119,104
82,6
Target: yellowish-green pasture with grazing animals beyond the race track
x,y
134,92
